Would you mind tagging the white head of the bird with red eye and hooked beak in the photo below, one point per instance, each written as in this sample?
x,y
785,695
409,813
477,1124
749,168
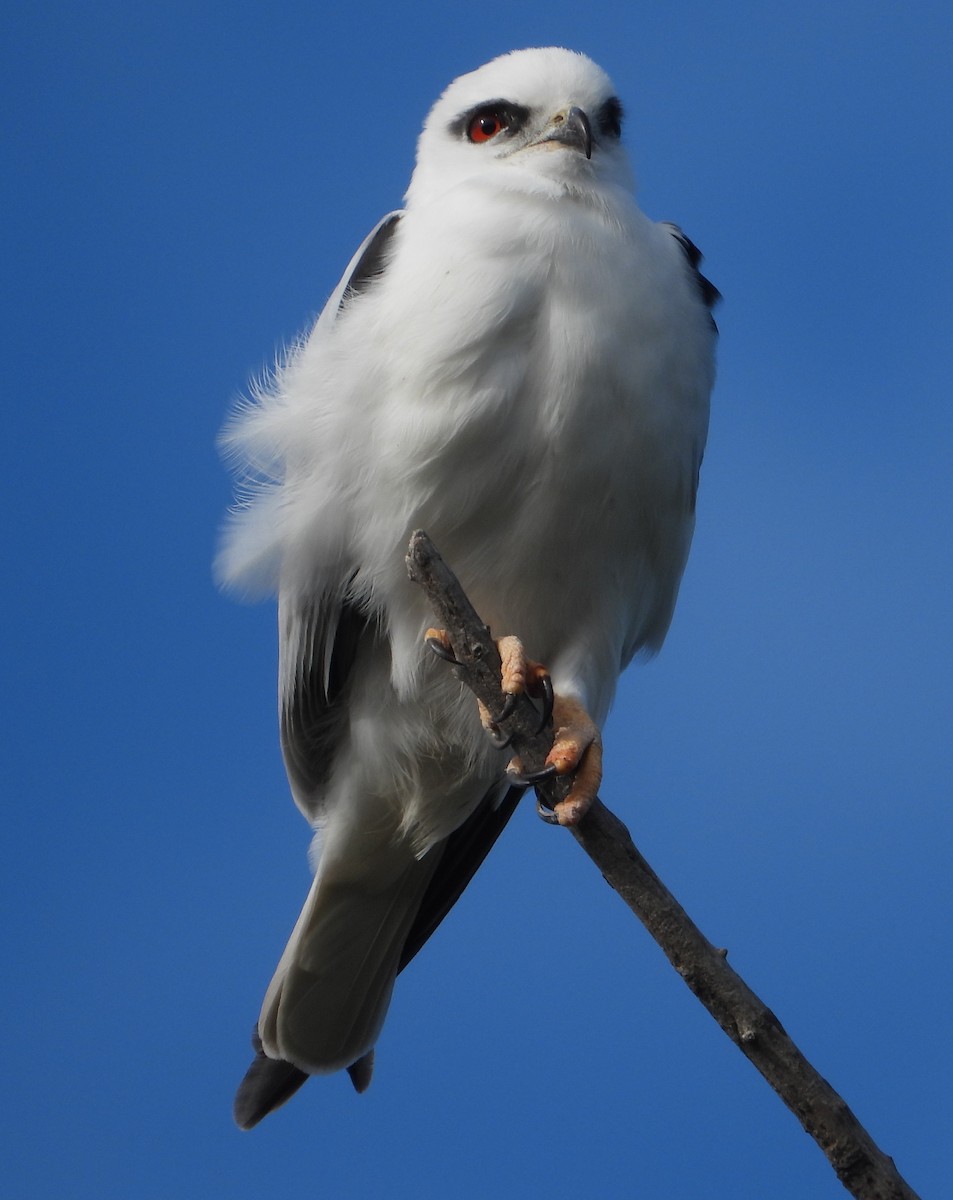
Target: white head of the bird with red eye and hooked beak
x,y
529,117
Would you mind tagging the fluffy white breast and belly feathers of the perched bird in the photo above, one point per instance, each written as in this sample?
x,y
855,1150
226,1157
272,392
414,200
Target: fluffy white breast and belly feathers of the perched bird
x,y
529,382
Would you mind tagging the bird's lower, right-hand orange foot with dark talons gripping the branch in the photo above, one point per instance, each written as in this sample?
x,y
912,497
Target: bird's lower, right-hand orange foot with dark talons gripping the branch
x,y
578,752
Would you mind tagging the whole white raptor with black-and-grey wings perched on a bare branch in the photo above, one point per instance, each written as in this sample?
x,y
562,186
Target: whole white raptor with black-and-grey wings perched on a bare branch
x,y
519,362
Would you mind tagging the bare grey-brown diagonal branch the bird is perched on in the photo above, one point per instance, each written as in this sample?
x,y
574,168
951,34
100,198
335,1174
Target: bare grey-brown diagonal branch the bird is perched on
x,y
865,1171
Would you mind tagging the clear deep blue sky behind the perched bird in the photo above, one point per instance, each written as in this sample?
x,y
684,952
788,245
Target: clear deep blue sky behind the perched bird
x,y
183,185
